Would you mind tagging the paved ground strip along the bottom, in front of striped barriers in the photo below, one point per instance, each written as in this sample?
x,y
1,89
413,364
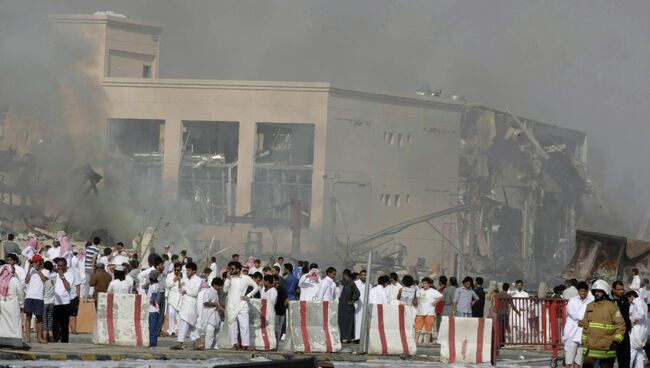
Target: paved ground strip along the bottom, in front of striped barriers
x,y
80,350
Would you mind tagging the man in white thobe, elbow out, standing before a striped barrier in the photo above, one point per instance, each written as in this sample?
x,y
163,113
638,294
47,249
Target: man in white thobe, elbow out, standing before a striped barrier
x,y
237,304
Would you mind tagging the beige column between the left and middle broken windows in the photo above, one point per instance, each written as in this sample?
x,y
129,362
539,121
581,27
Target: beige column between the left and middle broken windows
x,y
172,154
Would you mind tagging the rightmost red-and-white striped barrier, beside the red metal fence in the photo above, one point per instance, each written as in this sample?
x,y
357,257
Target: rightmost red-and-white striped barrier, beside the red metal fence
x,y
465,340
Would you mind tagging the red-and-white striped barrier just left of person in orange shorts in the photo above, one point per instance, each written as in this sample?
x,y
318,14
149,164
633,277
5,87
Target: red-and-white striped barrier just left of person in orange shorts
x,y
390,324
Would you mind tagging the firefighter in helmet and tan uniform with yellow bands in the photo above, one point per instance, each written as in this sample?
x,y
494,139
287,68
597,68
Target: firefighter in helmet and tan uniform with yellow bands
x,y
603,328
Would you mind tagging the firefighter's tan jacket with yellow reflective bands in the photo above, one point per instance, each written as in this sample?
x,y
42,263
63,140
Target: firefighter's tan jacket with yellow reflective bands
x,y
602,325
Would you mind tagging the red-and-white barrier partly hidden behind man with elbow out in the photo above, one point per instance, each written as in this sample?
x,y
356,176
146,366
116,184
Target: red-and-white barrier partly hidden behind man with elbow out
x,y
261,320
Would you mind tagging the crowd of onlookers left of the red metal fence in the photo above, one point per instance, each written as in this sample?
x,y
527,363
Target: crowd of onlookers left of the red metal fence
x,y
45,282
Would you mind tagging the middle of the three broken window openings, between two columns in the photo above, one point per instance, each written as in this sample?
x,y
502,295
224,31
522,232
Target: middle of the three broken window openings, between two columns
x,y
208,172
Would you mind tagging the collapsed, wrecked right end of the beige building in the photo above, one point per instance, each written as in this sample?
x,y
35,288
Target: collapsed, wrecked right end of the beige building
x,y
529,180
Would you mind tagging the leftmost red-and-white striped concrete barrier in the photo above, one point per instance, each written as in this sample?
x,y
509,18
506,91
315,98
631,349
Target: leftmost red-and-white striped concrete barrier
x,y
122,319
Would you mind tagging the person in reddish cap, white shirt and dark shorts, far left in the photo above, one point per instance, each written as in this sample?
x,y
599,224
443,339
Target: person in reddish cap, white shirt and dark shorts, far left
x,y
34,305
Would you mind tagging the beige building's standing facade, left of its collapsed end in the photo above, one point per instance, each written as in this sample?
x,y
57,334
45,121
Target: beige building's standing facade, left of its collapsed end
x,y
285,168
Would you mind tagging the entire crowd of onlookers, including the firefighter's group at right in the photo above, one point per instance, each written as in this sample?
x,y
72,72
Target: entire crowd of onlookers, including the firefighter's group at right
x,y
41,286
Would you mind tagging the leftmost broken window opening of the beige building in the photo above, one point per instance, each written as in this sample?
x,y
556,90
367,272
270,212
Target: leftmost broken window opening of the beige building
x,y
135,156
